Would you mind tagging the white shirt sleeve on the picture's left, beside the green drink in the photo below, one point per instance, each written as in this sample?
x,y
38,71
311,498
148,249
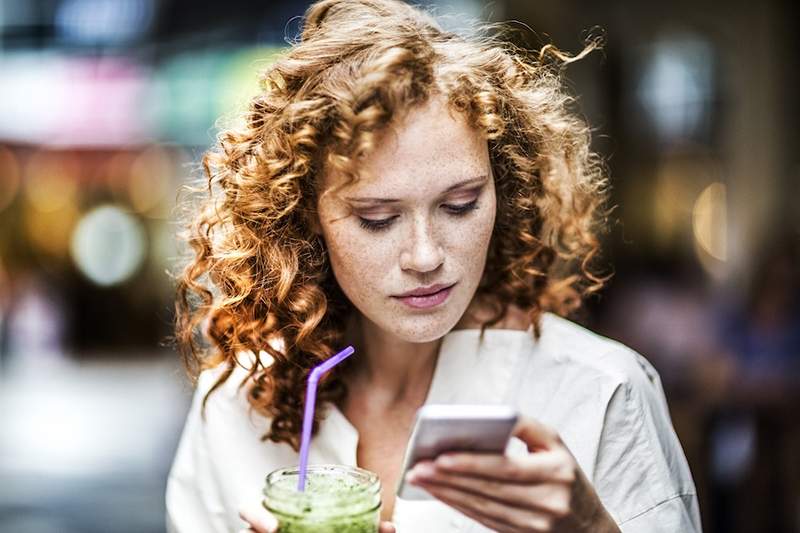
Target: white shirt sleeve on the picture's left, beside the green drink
x,y
193,500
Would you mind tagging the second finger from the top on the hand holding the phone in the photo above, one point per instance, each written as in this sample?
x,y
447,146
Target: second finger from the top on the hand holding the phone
x,y
545,497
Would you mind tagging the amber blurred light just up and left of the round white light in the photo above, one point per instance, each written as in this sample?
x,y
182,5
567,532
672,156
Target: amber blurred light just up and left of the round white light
x,y
51,181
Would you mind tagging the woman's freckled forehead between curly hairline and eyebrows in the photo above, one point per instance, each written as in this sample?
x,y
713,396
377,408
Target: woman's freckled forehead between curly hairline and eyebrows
x,y
427,150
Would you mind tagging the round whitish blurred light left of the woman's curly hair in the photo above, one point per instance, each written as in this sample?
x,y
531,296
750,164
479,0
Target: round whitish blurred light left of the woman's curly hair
x,y
108,245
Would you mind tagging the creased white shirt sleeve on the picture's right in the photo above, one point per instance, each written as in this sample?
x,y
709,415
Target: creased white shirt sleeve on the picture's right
x,y
641,473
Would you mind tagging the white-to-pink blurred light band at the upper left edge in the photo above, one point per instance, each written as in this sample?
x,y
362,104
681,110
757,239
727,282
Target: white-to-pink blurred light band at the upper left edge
x,y
55,100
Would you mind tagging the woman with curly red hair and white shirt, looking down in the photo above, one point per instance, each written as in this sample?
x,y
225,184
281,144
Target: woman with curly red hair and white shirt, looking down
x,y
429,199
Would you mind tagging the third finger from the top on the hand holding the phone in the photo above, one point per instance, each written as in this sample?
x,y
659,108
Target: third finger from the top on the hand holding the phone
x,y
490,513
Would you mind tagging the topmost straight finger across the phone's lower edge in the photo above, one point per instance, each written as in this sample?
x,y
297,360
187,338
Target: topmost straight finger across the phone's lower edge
x,y
529,468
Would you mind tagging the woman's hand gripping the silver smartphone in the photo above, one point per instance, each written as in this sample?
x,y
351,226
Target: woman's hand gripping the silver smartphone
x,y
545,490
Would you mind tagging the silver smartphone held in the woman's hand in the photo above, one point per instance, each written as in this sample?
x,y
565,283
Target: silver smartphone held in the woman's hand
x,y
440,428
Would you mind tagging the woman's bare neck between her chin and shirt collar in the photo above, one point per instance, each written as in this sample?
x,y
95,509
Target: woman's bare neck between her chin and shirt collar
x,y
390,370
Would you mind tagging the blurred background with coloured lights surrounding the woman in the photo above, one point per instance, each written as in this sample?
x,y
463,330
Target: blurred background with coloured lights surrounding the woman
x,y
107,105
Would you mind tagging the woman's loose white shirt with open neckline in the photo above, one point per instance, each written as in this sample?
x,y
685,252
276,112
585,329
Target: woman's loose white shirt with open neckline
x,y
605,401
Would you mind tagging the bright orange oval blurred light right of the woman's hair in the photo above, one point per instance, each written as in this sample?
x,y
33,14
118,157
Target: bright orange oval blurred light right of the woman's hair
x,y
709,221
